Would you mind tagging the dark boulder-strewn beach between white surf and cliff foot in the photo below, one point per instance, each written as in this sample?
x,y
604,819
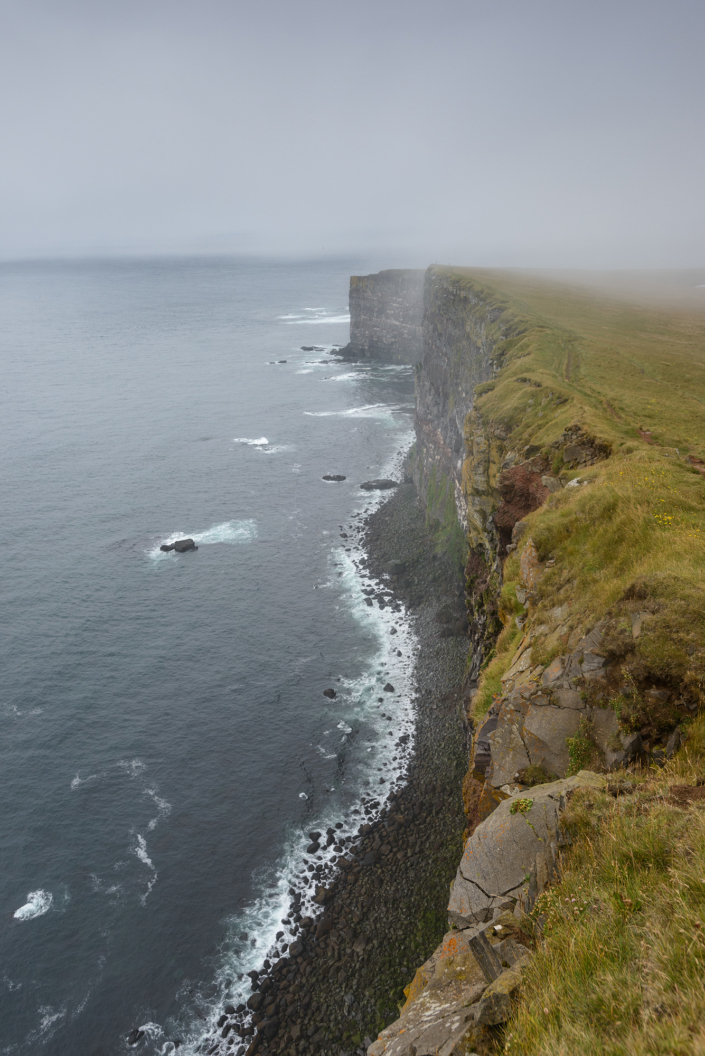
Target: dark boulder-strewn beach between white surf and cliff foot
x,y
386,912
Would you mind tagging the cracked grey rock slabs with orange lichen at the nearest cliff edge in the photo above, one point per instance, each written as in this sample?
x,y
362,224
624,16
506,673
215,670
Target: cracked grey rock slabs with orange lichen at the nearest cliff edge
x,y
469,983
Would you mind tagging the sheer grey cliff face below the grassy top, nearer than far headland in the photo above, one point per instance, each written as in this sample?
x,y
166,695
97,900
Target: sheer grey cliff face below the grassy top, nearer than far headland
x,y
459,459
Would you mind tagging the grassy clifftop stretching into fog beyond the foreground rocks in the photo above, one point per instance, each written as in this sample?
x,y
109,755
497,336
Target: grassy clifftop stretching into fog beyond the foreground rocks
x,y
631,540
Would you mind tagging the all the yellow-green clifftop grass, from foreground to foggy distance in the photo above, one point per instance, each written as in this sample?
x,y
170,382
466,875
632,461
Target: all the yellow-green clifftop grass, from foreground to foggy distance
x,y
620,966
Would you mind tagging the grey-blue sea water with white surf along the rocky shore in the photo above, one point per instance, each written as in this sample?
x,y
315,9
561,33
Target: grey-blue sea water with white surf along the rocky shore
x,y
166,746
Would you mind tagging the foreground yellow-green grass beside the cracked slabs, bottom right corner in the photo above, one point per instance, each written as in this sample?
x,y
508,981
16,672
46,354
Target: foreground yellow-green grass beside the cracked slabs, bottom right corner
x,y
620,971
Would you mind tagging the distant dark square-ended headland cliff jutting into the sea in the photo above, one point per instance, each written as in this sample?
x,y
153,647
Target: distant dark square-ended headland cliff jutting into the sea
x,y
387,311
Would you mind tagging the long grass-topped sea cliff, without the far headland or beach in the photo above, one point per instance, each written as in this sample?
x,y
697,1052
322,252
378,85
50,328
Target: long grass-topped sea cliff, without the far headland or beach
x,y
552,432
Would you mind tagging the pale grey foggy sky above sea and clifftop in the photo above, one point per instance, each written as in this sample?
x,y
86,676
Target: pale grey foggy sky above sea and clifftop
x,y
492,133
